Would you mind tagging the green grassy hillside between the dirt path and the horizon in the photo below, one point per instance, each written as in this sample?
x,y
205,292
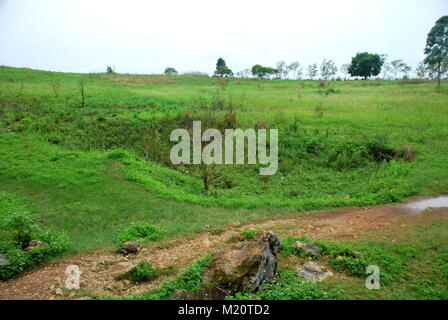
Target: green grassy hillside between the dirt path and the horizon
x,y
80,164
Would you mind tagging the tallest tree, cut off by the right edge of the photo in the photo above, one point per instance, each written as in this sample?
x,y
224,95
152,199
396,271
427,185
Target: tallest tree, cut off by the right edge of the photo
x,y
436,49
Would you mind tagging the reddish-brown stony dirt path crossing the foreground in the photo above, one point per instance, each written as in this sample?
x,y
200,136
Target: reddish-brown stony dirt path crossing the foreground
x,y
99,267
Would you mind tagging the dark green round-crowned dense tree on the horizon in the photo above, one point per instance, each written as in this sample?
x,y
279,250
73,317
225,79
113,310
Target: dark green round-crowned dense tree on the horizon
x,y
365,65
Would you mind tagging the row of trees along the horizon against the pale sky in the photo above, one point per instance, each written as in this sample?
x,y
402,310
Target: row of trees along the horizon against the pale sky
x,y
363,65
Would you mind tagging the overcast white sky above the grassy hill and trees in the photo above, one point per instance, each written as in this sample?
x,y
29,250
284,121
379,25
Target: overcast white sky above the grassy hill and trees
x,y
147,36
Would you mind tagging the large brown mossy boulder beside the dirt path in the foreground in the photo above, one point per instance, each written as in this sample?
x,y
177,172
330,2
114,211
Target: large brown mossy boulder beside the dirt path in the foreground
x,y
243,265
